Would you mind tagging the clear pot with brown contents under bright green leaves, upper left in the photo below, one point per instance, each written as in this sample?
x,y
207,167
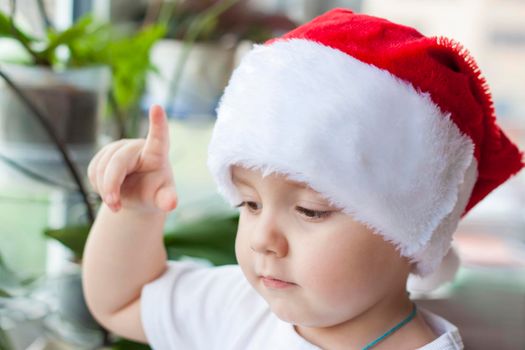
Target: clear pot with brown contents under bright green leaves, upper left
x,y
72,100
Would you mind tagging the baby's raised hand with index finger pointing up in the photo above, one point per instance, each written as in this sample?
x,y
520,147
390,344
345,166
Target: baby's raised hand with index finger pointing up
x,y
135,173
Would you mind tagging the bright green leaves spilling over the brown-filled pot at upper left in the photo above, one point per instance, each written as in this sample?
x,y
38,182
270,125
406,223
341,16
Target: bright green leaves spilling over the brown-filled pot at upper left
x,y
89,43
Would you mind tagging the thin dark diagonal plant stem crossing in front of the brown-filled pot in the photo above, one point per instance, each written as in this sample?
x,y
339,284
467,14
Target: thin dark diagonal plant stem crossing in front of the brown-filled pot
x,y
58,143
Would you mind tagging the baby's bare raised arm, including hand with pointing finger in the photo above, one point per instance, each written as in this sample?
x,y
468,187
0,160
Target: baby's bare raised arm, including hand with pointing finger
x,y
125,247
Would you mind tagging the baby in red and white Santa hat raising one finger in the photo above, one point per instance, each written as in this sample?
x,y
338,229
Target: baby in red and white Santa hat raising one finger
x,y
352,146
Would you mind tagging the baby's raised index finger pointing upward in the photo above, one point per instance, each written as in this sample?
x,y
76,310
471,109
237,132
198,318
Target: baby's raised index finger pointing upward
x,y
157,141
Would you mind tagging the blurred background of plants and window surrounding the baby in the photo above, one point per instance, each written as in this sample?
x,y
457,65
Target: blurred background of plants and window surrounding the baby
x,y
76,75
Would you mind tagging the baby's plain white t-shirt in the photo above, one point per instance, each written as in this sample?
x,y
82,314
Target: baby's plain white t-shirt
x,y
193,307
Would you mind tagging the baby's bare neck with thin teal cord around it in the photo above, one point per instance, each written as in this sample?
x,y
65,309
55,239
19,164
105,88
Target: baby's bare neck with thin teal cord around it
x,y
359,331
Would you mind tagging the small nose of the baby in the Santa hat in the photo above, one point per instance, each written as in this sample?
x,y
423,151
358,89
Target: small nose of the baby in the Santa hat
x,y
268,238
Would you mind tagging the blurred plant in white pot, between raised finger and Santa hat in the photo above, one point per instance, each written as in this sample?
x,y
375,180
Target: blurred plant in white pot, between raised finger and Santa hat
x,y
198,53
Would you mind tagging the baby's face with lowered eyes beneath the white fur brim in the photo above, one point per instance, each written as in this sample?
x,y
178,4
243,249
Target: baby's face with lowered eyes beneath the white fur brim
x,y
333,267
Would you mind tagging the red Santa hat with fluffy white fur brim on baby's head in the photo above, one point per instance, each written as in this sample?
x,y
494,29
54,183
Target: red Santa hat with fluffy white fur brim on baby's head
x,y
395,128
